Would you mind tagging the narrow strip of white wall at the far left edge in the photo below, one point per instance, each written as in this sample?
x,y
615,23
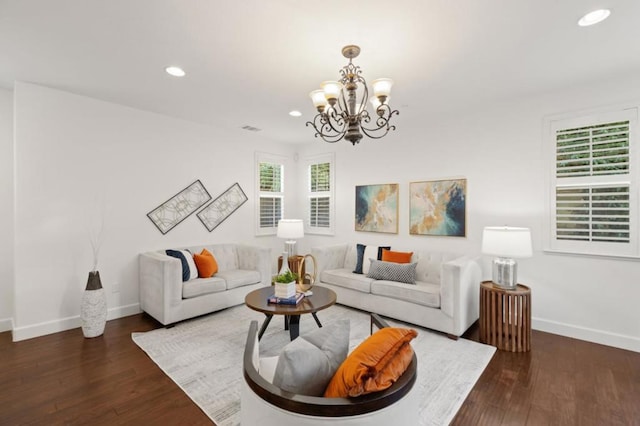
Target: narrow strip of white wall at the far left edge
x,y
6,209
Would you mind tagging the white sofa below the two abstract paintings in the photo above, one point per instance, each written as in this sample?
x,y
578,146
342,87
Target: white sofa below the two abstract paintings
x,y
444,298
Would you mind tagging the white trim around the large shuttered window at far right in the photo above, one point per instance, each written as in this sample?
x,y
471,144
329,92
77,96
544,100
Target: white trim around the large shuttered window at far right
x,y
582,119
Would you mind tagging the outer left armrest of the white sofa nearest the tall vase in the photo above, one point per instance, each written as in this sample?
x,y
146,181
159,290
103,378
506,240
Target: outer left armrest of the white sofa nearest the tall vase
x,y
160,284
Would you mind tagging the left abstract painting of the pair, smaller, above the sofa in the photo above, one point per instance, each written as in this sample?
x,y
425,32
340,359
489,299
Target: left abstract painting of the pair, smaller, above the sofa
x,y
377,208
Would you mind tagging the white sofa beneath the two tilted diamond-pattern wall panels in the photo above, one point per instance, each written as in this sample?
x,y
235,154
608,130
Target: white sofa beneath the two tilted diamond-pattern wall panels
x,y
164,296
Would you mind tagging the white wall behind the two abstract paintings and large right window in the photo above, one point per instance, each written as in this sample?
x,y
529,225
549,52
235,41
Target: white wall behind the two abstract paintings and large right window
x,y
499,150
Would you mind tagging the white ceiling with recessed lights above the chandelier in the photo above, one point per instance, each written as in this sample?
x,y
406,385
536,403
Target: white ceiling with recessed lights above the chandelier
x,y
249,62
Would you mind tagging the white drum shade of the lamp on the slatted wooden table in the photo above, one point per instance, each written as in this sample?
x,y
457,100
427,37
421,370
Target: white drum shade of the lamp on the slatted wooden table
x,y
506,241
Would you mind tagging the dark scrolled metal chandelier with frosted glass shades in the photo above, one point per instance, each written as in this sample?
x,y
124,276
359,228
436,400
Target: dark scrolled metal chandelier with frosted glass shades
x,y
340,115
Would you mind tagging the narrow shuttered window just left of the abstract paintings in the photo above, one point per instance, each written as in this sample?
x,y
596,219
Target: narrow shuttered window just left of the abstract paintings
x,y
320,196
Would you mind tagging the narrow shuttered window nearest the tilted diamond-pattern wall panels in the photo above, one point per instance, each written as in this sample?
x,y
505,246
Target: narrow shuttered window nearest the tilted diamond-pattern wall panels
x,y
270,182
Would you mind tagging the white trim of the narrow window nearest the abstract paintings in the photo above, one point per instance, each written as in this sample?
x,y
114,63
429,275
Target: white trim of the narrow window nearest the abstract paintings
x,y
308,162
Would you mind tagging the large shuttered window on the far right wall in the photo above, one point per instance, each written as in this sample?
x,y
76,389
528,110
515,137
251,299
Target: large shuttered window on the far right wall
x,y
594,184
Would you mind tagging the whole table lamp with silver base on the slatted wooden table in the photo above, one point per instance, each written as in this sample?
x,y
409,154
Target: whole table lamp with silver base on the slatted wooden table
x,y
506,243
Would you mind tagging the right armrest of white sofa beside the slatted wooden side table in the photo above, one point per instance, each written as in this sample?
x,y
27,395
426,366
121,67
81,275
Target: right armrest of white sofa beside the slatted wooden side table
x,y
459,291
